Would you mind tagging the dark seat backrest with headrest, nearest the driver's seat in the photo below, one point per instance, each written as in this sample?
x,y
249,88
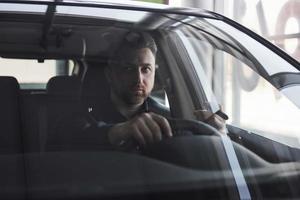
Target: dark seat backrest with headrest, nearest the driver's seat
x,y
63,103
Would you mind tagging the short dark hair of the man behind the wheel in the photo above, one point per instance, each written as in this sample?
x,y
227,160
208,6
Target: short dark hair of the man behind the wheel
x,y
133,41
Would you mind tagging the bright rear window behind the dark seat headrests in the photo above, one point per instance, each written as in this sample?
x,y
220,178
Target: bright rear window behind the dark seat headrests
x,y
32,74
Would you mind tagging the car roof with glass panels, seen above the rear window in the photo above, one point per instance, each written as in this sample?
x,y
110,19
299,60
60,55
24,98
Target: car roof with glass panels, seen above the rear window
x,y
30,29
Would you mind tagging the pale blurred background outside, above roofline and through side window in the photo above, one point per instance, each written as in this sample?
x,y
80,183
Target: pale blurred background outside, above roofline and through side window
x,y
251,102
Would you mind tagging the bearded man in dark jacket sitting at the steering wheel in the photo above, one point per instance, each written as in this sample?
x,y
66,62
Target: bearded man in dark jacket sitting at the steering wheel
x,y
129,118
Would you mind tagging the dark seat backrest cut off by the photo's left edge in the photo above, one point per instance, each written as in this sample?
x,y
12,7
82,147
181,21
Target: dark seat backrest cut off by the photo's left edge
x,y
10,122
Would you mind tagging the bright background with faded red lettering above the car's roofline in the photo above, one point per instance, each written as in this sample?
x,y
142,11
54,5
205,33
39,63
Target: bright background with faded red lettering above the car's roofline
x,y
276,20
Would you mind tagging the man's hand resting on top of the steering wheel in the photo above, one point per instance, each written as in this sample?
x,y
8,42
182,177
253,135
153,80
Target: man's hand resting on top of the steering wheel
x,y
145,129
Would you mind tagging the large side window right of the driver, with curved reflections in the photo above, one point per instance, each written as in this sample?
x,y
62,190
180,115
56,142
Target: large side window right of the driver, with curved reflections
x,y
230,66
